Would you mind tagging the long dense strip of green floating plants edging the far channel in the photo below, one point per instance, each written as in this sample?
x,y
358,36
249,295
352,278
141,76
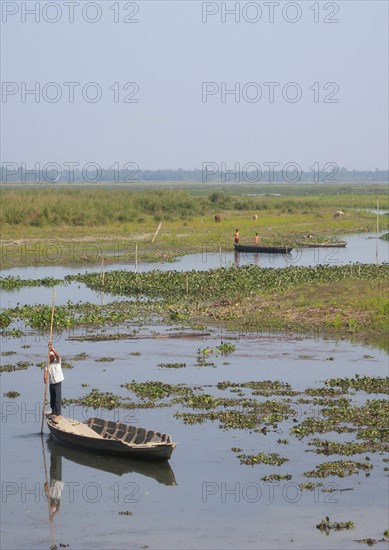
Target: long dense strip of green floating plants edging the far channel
x,y
218,283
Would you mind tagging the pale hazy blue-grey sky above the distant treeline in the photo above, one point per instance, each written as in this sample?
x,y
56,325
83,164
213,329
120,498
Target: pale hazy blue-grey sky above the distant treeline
x,y
308,89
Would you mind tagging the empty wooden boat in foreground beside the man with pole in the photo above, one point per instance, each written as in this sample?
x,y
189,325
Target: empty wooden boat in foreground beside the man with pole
x,y
97,434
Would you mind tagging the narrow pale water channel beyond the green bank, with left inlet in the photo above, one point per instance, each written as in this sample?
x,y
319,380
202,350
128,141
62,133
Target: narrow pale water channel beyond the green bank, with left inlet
x,y
362,248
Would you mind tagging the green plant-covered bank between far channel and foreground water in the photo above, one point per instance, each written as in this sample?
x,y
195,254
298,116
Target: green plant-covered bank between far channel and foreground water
x,y
341,301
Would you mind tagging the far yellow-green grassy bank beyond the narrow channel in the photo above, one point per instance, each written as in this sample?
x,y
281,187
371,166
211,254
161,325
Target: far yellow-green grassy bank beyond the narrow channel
x,y
78,226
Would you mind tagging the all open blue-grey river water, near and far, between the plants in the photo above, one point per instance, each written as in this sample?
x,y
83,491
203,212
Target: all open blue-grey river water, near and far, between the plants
x,y
203,498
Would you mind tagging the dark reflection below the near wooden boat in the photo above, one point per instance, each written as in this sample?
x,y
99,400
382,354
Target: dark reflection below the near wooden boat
x,y
161,470
